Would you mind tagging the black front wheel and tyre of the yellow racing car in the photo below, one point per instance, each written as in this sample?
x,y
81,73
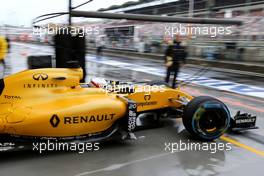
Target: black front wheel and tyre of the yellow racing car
x,y
206,118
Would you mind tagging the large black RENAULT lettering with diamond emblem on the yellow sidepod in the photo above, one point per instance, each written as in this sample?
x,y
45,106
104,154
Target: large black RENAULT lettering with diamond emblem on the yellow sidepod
x,y
55,120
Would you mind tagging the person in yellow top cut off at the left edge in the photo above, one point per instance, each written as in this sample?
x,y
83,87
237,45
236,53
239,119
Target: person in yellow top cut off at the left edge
x,y
3,52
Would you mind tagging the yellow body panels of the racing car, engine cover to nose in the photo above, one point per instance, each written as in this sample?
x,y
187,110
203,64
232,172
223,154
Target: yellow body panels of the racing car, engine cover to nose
x,y
51,103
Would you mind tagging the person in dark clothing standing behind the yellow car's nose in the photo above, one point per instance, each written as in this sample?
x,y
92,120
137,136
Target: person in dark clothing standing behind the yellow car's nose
x,y
175,57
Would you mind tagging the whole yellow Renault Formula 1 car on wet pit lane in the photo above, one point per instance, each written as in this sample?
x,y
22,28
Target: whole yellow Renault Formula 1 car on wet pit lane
x,y
52,104
